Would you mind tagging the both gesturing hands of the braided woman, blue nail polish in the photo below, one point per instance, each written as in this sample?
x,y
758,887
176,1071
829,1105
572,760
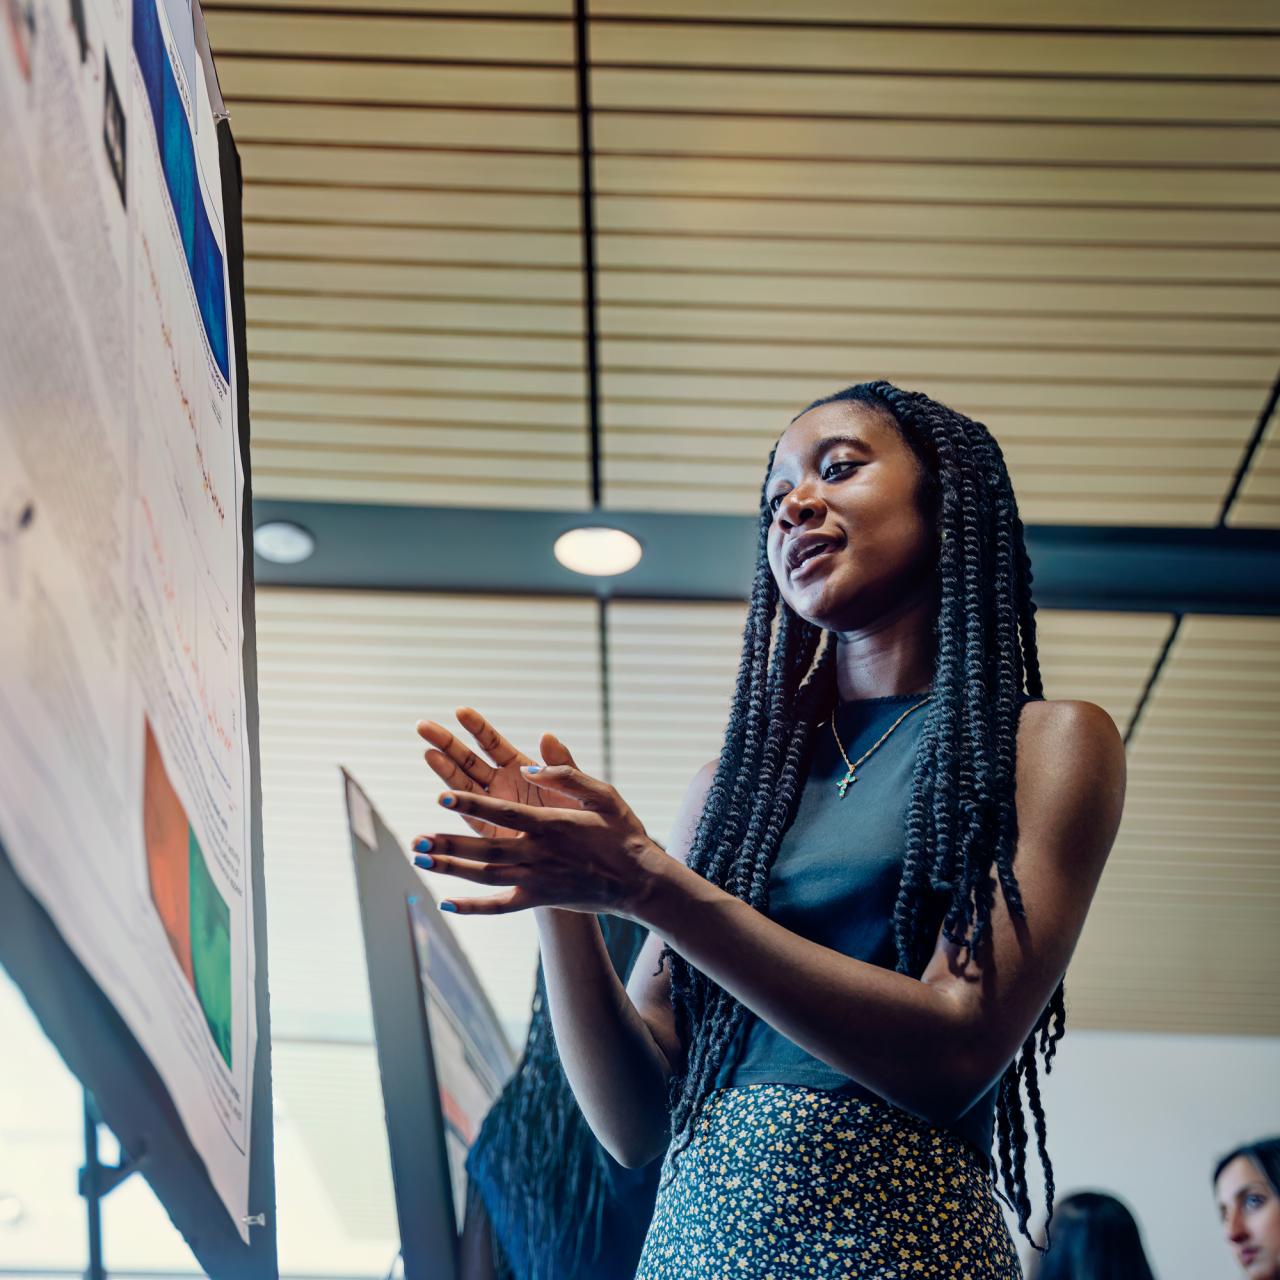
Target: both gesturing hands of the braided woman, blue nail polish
x,y
554,835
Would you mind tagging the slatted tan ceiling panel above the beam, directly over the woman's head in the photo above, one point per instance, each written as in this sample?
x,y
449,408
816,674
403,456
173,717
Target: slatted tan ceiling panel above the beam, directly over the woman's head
x,y
774,195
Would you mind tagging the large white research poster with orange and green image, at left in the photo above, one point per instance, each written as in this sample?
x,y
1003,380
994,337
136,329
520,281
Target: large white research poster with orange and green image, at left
x,y
125,788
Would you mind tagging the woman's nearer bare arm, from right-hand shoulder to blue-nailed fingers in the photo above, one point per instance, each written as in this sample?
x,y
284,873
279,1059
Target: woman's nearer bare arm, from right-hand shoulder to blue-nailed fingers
x,y
932,1045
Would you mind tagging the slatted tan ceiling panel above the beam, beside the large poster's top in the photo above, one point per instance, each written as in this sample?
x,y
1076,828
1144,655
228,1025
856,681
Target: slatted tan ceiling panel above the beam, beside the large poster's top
x,y
412,177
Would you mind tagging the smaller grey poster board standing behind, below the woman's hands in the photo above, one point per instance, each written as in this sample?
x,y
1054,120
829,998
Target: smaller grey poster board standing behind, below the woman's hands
x,y
442,1055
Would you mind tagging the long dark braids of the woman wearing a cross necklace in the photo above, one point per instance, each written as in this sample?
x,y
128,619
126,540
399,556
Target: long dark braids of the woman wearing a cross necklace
x,y
962,828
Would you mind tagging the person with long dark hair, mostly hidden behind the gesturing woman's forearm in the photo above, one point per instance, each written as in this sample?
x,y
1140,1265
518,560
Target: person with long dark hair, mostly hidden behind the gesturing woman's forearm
x,y
545,1200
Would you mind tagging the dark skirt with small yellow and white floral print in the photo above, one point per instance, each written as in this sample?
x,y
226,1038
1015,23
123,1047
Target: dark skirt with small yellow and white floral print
x,y
783,1182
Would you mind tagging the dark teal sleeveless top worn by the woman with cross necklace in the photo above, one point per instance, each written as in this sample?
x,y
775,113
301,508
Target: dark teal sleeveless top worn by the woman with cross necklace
x,y
835,881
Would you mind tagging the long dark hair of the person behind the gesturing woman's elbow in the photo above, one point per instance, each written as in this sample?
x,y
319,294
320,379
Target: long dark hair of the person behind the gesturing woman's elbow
x,y
546,1176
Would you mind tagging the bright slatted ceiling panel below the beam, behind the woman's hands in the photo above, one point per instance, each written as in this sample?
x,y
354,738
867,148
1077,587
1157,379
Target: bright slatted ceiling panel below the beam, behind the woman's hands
x,y
344,678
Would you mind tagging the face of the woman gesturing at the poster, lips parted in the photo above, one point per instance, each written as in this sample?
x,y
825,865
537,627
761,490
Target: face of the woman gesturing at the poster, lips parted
x,y
848,545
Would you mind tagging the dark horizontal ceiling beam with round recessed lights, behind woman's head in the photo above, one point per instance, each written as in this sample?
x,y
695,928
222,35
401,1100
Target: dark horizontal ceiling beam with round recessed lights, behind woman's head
x,y
691,557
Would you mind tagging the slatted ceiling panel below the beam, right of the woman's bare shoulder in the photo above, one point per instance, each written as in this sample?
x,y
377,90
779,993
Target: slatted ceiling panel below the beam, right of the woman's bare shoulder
x,y
1183,935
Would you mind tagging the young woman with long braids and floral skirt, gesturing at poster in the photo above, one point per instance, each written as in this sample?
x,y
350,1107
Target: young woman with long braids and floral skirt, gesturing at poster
x,y
860,931
